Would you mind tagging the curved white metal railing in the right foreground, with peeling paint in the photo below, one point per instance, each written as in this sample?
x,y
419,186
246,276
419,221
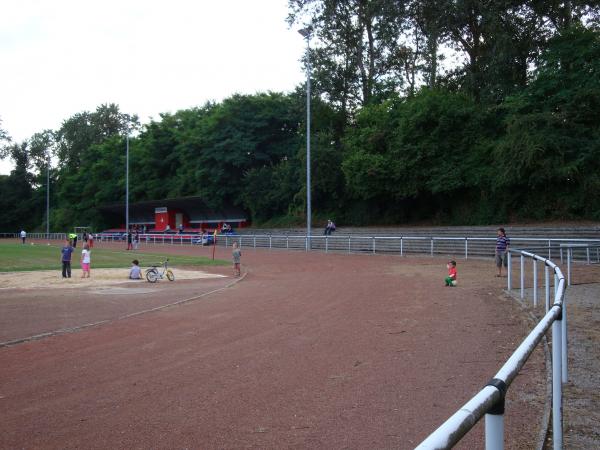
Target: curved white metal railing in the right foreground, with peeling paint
x,y
489,401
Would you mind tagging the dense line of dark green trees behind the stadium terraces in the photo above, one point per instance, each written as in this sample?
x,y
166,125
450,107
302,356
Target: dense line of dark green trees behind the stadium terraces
x,y
399,134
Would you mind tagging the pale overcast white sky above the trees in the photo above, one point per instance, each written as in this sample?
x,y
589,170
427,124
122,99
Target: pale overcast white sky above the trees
x,y
62,57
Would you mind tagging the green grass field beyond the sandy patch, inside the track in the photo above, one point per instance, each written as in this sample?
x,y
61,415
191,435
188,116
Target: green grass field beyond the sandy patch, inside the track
x,y
17,258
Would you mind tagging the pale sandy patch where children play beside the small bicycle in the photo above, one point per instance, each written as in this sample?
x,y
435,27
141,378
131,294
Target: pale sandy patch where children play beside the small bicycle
x,y
43,279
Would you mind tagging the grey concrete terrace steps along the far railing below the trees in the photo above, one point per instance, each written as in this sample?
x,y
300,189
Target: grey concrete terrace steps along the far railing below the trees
x,y
450,241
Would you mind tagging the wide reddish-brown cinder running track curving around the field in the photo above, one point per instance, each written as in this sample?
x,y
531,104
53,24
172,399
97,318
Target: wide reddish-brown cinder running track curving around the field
x,y
309,351
